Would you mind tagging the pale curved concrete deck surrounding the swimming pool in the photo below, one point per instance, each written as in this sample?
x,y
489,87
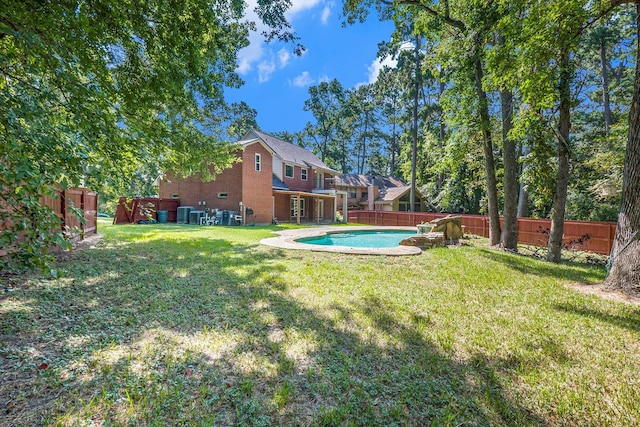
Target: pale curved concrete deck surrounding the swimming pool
x,y
287,240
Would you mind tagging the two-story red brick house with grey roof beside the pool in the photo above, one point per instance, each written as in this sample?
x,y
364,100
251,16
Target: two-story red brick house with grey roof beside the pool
x,y
274,179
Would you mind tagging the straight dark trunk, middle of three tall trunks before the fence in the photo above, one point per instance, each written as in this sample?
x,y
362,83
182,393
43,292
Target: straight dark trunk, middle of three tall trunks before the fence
x,y
509,238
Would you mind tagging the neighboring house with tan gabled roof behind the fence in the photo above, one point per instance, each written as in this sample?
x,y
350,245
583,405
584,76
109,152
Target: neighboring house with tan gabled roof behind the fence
x,y
380,193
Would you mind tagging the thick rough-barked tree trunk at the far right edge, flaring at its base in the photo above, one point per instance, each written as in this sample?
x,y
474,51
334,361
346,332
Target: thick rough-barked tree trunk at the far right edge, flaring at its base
x,y
624,271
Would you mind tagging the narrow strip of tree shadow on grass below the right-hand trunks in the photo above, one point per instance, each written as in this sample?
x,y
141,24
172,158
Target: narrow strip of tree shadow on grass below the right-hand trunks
x,y
567,270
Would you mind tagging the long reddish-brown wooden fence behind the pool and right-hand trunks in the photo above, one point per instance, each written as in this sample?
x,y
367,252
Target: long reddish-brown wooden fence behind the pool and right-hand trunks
x,y
589,236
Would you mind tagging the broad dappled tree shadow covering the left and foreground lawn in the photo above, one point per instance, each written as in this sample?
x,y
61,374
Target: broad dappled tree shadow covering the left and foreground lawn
x,y
207,332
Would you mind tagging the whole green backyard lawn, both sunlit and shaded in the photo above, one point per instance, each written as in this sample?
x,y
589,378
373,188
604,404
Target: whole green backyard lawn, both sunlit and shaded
x,y
186,325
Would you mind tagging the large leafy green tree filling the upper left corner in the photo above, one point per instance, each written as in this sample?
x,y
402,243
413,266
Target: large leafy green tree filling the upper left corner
x,y
90,91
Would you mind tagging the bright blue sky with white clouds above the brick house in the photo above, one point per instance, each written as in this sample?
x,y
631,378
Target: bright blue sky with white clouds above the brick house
x,y
277,81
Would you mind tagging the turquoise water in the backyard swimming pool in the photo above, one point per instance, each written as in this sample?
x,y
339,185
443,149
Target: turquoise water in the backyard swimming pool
x,y
360,239
